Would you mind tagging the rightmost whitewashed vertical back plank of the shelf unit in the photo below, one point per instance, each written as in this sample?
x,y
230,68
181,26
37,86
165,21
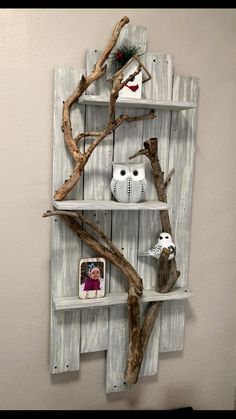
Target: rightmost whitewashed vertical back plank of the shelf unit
x,y
181,157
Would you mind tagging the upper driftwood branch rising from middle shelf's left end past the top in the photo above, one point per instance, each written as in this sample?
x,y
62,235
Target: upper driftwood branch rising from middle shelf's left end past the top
x,y
80,158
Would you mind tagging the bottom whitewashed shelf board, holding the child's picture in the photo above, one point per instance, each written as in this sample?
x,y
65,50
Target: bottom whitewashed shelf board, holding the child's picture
x,y
112,299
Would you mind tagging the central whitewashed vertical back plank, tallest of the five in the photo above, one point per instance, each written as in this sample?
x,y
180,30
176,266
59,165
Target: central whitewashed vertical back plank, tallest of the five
x,y
125,230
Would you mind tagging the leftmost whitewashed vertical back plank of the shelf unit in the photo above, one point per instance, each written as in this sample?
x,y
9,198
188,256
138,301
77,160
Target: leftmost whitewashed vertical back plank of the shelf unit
x,y
65,327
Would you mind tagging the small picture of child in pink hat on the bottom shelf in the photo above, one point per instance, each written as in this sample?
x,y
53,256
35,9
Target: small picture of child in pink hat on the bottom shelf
x,y
91,273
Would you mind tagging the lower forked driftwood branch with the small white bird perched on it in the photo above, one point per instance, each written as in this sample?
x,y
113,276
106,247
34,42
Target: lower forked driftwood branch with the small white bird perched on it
x,y
167,274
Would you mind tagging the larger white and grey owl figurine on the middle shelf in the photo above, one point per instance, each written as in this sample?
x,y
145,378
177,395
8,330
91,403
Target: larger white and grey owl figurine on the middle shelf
x,y
128,183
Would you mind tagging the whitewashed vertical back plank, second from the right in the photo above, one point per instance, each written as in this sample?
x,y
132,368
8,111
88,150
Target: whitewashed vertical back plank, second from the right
x,y
159,88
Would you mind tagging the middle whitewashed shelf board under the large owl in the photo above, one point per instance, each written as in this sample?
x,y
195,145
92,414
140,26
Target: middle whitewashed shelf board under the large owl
x,y
74,205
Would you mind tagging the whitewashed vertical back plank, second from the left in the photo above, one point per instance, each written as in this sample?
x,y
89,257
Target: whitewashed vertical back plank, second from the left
x,y
97,174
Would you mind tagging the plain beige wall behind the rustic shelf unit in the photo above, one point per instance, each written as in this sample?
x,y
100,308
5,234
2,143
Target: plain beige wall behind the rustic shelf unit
x,y
33,41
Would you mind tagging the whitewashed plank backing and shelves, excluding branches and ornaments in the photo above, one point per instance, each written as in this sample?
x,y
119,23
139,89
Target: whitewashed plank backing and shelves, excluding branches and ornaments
x,y
131,230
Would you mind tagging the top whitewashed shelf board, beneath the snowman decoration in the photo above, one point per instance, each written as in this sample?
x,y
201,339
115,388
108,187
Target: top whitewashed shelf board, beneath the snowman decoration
x,y
169,105
